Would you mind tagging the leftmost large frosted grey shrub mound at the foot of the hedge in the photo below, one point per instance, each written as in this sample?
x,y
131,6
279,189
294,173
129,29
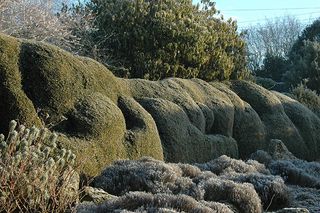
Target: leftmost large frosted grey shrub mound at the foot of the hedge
x,y
147,175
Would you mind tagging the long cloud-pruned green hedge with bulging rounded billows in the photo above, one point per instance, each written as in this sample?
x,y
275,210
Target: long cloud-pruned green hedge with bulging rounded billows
x,y
103,118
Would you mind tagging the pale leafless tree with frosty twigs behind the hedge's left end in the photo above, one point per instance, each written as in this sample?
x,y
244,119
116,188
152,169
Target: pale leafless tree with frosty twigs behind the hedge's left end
x,y
41,20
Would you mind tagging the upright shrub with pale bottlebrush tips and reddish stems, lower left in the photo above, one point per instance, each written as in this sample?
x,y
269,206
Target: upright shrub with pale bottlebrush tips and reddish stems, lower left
x,y
35,175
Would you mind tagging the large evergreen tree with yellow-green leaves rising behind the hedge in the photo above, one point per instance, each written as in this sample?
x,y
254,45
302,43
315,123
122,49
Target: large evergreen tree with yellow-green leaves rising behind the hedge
x,y
158,39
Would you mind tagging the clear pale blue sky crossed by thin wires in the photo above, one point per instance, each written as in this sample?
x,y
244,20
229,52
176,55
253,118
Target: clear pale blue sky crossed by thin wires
x,y
251,12
